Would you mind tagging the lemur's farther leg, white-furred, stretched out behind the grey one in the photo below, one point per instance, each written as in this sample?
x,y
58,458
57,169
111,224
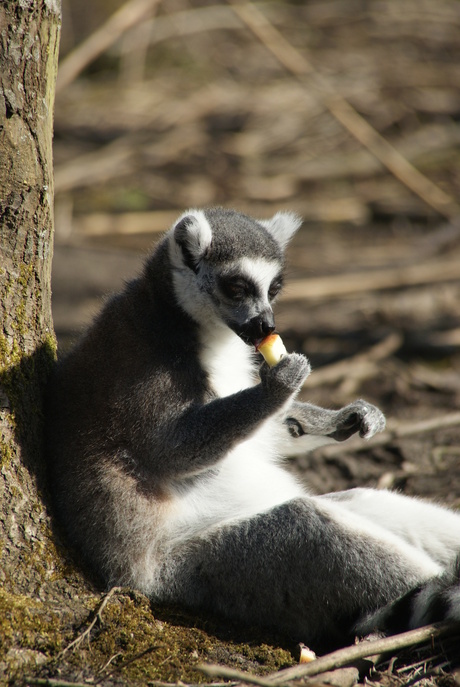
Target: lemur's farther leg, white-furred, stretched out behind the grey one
x,y
426,526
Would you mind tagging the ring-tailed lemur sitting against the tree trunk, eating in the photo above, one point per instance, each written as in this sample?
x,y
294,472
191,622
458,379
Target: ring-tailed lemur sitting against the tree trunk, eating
x,y
165,446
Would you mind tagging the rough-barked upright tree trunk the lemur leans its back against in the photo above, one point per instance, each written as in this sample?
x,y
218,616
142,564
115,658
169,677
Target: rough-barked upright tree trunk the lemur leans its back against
x,y
29,32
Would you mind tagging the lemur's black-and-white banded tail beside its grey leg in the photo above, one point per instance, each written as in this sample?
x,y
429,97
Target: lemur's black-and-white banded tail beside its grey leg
x,y
432,601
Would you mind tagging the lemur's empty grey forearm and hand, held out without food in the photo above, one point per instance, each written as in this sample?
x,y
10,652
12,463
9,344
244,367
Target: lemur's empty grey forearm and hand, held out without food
x,y
310,426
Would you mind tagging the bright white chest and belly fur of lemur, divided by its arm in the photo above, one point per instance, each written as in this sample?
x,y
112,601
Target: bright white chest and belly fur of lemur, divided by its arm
x,y
248,480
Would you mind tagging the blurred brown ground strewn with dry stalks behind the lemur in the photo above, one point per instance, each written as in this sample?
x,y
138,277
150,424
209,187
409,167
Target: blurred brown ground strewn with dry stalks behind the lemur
x,y
208,116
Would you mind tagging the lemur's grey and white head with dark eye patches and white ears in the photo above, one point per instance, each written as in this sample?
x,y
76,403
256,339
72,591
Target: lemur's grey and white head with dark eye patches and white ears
x,y
228,268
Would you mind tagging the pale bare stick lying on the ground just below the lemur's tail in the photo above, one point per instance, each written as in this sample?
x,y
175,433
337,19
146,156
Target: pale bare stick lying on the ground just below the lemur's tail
x,y
337,659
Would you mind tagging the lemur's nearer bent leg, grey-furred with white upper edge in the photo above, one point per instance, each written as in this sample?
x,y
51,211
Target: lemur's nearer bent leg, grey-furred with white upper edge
x,y
300,568
